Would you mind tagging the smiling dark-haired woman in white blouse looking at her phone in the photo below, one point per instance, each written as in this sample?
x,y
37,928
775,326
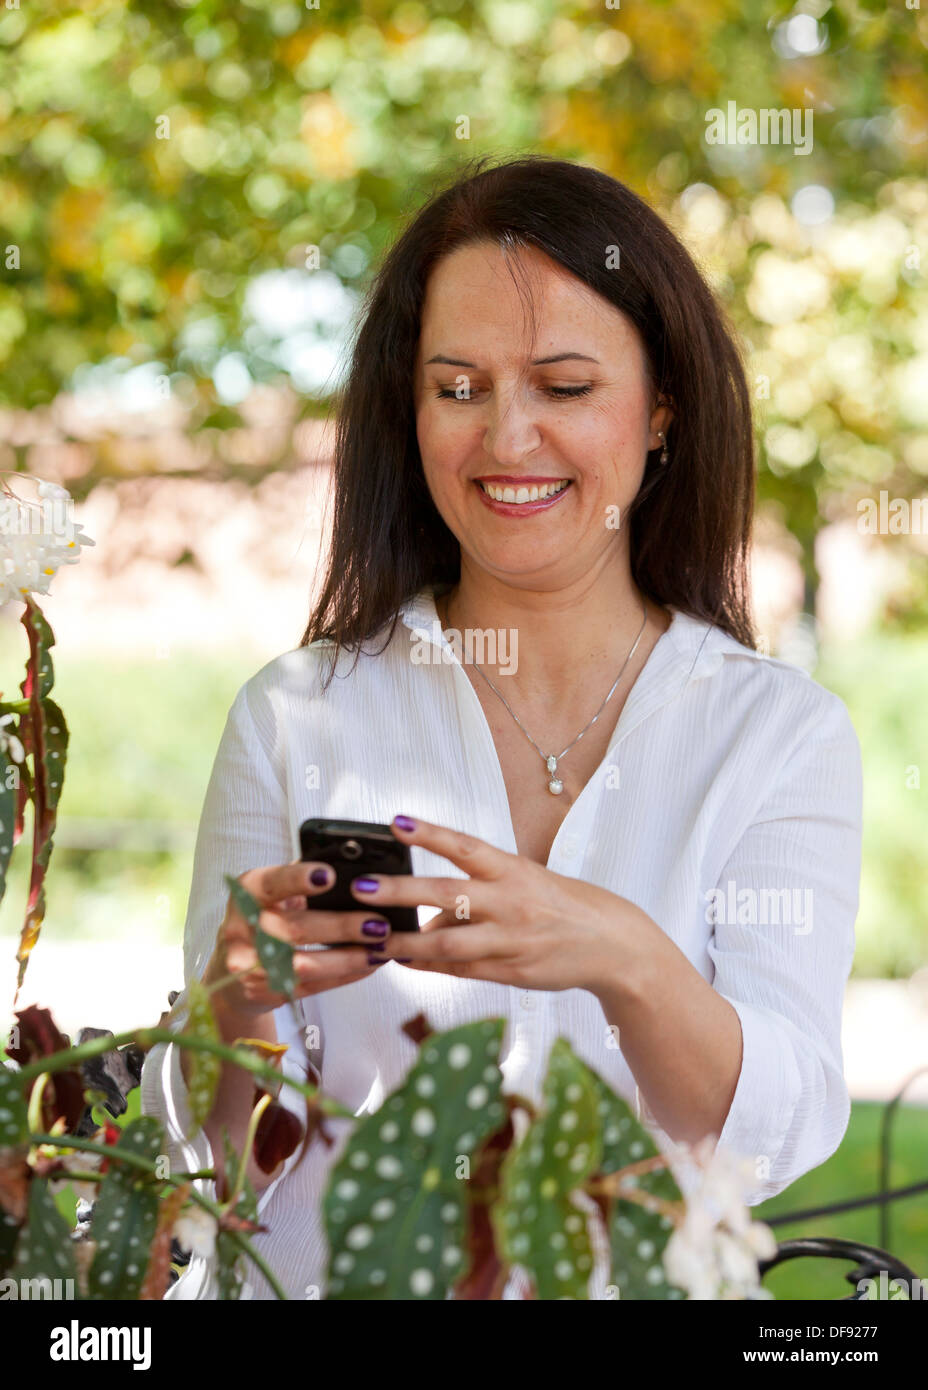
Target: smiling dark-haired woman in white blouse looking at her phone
x,y
545,440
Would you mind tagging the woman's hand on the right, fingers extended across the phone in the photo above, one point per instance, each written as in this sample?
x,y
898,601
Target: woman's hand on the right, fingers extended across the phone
x,y
512,921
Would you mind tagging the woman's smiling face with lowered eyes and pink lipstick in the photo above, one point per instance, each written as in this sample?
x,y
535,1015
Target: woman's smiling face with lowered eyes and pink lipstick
x,y
562,425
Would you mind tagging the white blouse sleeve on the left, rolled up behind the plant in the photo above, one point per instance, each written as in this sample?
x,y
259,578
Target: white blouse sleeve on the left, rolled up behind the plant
x,y
245,825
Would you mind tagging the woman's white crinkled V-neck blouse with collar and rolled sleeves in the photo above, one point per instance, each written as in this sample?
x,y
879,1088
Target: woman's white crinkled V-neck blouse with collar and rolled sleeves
x,y
729,808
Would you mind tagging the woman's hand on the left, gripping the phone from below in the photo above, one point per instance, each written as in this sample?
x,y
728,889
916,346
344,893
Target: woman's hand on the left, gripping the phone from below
x,y
281,893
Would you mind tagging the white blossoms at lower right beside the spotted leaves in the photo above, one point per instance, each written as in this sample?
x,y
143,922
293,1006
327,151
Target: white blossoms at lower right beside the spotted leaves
x,y
713,1254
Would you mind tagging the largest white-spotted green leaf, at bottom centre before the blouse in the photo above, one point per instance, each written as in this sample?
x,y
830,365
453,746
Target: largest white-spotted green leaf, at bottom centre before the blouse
x,y
398,1199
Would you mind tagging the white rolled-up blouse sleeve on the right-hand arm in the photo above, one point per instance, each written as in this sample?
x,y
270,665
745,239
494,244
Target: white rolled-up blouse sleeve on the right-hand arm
x,y
783,949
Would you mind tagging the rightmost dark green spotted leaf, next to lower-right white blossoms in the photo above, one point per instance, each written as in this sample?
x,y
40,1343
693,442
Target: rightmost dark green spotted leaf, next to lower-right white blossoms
x,y
638,1236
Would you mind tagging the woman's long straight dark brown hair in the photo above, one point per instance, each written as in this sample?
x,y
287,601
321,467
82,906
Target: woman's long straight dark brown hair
x,y
690,528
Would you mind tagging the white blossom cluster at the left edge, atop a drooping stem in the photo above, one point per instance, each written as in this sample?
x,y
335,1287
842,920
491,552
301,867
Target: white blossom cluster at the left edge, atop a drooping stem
x,y
37,539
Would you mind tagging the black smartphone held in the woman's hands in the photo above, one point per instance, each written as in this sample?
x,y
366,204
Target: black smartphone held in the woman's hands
x,y
356,850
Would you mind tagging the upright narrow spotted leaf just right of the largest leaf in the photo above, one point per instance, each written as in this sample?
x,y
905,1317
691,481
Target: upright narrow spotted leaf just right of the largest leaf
x,y
537,1224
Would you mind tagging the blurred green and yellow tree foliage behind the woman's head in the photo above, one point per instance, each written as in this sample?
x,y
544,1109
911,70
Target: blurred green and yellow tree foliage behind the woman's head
x,y
156,158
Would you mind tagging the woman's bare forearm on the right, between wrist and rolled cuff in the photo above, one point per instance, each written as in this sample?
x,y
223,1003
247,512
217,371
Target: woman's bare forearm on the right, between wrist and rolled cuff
x,y
681,1039
